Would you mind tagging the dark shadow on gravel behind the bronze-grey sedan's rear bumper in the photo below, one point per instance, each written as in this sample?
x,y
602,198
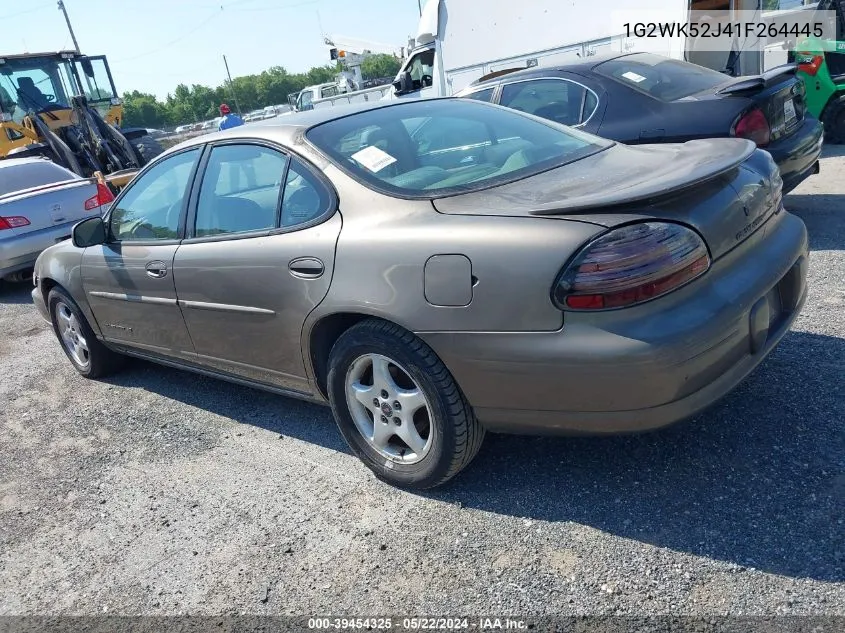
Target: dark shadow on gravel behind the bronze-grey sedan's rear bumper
x,y
758,481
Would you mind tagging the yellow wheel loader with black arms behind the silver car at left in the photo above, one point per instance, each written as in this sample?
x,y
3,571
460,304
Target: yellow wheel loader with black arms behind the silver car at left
x,y
64,106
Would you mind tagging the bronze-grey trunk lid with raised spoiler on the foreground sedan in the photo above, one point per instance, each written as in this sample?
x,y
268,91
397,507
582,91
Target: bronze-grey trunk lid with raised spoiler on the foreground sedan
x,y
724,188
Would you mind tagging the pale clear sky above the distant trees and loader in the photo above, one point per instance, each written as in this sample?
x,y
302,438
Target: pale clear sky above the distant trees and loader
x,y
153,45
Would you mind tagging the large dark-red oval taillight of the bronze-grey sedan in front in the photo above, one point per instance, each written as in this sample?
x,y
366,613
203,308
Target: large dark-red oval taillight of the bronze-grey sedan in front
x,y
631,265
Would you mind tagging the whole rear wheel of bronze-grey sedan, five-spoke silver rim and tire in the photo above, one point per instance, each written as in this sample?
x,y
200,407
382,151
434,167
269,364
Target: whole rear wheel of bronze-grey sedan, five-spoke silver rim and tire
x,y
398,407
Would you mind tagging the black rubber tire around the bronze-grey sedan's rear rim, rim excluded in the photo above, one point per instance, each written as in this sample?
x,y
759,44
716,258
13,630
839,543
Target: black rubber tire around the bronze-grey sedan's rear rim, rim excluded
x,y
456,435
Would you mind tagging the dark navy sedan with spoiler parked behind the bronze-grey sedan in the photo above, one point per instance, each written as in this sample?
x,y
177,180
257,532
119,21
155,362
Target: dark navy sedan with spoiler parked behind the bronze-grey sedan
x,y
645,98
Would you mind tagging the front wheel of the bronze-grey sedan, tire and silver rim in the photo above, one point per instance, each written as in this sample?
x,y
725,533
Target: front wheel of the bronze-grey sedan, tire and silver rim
x,y
89,356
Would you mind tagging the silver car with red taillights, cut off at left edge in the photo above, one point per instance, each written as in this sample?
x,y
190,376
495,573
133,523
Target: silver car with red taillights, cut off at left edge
x,y
40,201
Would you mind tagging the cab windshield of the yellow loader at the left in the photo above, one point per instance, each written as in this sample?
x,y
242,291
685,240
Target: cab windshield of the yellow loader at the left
x,y
33,85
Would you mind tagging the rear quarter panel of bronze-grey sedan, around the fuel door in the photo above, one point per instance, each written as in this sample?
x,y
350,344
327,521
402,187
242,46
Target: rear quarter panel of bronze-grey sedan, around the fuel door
x,y
385,244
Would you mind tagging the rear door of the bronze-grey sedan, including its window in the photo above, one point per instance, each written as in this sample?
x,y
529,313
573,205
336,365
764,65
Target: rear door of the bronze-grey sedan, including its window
x,y
257,260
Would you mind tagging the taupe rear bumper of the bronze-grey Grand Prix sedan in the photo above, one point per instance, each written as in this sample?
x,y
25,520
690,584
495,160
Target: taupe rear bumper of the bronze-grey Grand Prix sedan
x,y
640,368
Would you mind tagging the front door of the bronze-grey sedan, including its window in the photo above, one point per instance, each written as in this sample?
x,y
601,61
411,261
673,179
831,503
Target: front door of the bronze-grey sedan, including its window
x,y
128,281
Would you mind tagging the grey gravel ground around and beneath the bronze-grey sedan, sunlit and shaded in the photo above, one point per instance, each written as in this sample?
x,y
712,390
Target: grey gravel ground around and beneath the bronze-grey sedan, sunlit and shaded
x,y
160,492
